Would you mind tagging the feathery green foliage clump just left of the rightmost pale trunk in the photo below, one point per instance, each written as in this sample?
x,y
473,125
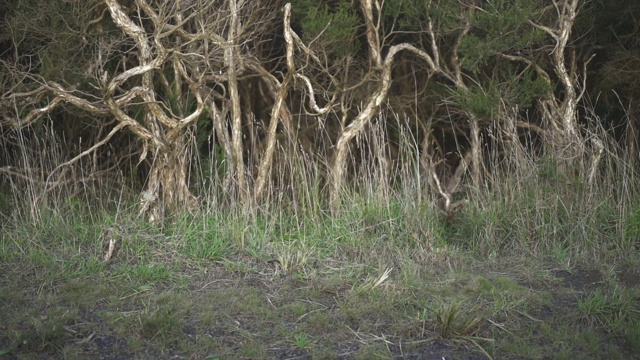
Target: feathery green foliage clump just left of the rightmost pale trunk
x,y
500,27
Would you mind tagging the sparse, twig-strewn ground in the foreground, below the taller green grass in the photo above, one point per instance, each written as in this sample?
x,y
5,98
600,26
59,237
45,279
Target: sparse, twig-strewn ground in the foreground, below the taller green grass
x,y
222,312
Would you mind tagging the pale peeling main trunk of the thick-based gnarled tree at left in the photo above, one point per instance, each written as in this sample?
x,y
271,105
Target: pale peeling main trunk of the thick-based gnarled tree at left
x,y
163,133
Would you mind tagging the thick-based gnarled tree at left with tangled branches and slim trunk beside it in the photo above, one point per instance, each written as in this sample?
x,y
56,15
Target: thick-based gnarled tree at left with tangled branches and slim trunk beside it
x,y
157,68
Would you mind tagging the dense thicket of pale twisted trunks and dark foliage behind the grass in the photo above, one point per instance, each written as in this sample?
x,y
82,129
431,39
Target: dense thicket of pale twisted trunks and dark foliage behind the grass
x,y
200,105
